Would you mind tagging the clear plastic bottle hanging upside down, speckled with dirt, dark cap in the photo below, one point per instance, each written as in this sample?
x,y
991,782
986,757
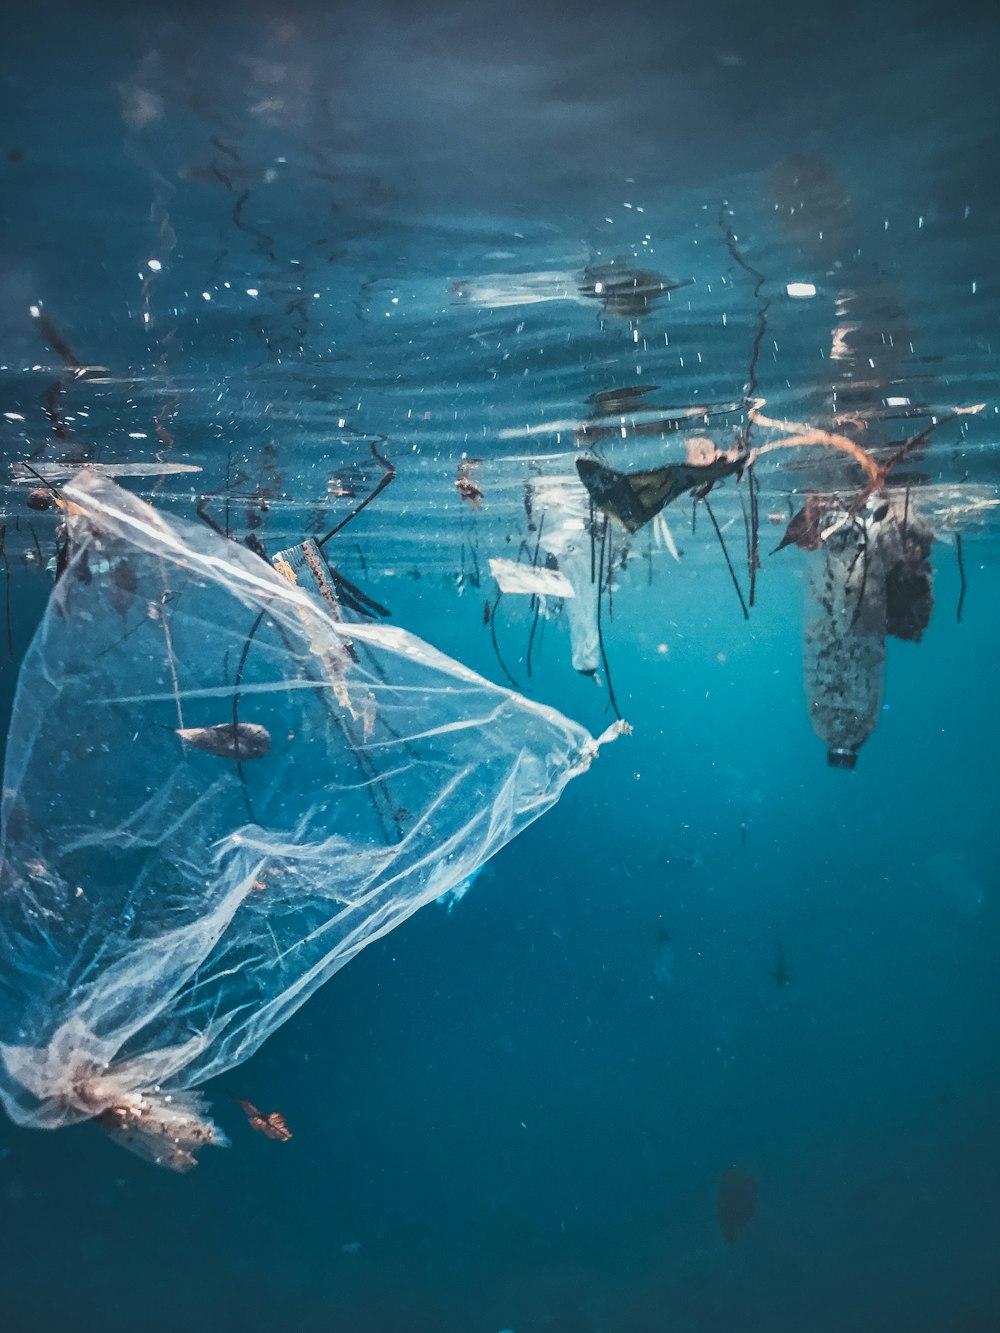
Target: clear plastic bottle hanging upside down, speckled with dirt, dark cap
x,y
845,651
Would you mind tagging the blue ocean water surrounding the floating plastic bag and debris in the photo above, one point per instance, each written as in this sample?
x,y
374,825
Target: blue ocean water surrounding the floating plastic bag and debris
x,y
259,245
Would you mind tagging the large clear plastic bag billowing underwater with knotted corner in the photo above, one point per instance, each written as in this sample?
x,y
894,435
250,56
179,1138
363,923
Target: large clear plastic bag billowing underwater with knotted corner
x,y
217,794
